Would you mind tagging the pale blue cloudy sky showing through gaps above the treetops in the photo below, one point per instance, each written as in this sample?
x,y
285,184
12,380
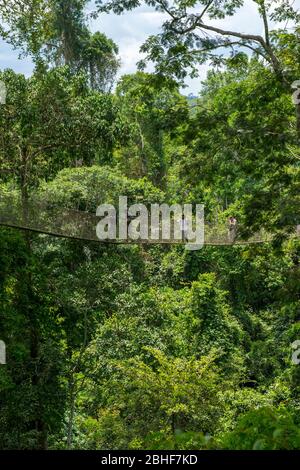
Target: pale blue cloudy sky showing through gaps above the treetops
x,y
131,29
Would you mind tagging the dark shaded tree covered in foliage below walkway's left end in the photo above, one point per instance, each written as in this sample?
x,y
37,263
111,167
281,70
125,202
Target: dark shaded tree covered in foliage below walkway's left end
x,y
32,396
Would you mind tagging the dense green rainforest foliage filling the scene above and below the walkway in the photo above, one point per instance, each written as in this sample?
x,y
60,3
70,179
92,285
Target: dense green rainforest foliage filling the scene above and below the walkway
x,y
150,347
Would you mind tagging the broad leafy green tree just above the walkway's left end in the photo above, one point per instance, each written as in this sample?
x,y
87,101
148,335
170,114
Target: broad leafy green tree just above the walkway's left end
x,y
53,120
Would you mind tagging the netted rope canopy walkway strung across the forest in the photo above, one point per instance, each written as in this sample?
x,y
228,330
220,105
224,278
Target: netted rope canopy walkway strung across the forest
x,y
44,218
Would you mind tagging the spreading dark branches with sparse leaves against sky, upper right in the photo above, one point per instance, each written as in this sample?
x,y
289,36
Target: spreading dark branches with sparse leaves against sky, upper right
x,y
189,36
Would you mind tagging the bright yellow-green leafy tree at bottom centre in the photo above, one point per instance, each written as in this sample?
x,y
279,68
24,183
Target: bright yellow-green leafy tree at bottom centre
x,y
141,400
